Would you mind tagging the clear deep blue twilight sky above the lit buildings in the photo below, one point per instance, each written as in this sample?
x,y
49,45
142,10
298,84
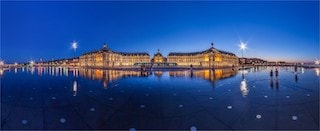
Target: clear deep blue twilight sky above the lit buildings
x,y
273,30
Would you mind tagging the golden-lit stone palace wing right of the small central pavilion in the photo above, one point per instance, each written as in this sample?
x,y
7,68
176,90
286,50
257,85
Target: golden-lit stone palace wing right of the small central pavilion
x,y
210,58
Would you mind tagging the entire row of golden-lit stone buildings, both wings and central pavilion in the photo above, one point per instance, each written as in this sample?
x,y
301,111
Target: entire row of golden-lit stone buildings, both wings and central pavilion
x,y
107,58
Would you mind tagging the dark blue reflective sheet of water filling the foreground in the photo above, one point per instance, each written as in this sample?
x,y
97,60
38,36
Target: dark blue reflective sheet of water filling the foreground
x,y
221,99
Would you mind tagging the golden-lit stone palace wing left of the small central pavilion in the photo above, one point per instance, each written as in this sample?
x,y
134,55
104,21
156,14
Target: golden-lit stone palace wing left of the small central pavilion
x,y
107,58
